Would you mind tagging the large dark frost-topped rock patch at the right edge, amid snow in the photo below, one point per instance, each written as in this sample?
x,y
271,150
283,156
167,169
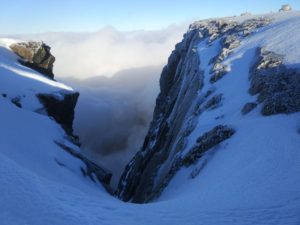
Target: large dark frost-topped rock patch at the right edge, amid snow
x,y
278,87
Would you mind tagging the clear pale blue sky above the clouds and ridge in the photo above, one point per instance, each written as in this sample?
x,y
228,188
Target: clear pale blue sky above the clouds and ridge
x,y
35,16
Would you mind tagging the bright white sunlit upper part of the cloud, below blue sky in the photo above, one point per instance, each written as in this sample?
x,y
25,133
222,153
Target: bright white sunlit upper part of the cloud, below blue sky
x,y
108,51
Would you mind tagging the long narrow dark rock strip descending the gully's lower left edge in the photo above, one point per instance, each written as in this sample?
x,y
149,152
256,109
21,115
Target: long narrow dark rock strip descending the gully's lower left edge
x,y
91,170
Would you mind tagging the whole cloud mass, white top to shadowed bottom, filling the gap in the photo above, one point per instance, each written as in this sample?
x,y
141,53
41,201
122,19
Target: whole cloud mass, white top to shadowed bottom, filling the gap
x,y
117,75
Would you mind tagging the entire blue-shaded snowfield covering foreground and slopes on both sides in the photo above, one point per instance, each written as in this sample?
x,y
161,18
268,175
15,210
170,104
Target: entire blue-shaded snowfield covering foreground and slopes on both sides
x,y
252,178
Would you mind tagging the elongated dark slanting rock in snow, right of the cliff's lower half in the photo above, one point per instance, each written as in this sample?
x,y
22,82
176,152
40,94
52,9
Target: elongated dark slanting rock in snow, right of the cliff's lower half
x,y
205,142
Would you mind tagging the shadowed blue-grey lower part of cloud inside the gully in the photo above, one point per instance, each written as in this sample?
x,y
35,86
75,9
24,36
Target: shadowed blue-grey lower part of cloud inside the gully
x,y
113,114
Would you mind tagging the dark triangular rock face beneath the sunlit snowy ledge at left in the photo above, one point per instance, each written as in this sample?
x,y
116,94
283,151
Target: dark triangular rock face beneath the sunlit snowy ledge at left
x,y
61,108
